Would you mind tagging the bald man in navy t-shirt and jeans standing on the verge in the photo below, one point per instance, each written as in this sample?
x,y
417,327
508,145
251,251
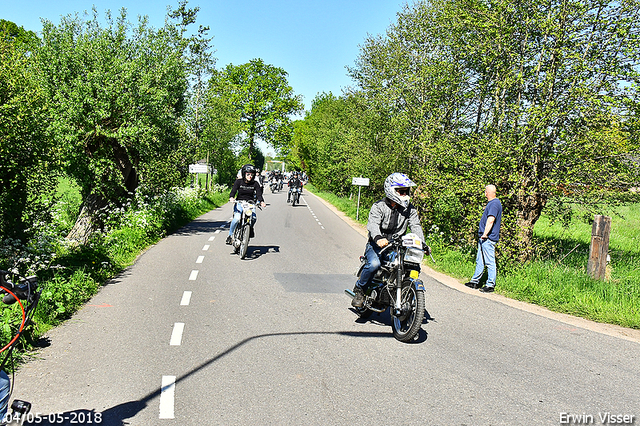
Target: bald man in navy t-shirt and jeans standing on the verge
x,y
489,233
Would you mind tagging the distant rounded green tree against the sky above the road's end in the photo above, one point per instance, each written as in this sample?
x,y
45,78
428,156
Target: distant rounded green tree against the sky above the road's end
x,y
265,101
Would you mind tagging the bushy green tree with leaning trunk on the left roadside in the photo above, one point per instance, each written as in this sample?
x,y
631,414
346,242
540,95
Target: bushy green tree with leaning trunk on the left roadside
x,y
117,94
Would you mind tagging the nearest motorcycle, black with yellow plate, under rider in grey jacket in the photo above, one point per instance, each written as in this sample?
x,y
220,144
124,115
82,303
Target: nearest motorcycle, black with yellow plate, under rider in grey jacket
x,y
396,286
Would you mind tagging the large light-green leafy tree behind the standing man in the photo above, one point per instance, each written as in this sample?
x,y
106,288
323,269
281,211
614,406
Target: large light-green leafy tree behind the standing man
x,y
534,97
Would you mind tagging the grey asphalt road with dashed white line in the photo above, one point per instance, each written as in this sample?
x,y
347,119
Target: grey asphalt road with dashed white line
x,y
193,335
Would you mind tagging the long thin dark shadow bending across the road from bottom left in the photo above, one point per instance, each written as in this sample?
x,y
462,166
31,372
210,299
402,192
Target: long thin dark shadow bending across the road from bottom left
x,y
117,415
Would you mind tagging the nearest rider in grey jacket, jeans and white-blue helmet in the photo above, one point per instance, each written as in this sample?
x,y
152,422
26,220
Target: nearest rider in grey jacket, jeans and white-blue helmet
x,y
392,215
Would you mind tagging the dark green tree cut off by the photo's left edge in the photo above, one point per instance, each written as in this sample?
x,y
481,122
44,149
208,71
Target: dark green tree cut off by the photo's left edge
x,y
27,175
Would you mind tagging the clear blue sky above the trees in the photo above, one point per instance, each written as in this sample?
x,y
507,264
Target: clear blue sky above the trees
x,y
312,40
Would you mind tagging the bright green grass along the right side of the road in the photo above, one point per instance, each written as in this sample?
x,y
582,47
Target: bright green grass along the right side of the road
x,y
557,279
